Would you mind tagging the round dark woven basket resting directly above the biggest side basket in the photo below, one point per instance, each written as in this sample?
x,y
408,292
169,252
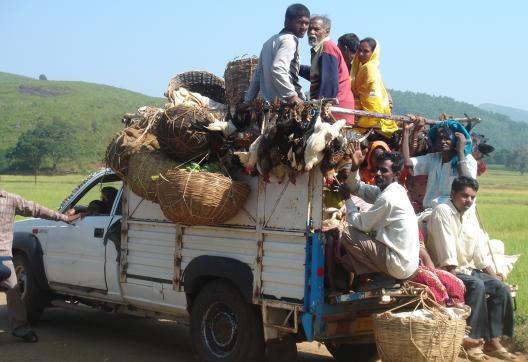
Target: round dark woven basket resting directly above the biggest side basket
x,y
177,136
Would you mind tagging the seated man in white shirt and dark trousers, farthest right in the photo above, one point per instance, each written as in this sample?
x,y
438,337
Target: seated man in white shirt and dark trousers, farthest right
x,y
456,246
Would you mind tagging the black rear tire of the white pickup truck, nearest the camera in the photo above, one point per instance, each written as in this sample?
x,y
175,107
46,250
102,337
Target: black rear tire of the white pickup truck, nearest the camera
x,y
224,327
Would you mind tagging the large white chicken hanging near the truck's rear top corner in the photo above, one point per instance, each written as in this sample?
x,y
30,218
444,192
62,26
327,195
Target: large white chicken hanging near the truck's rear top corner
x,y
322,134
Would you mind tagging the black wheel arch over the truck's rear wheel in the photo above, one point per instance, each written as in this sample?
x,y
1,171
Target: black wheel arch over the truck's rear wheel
x,y
205,268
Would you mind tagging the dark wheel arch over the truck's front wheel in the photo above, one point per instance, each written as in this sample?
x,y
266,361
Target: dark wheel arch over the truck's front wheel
x,y
29,245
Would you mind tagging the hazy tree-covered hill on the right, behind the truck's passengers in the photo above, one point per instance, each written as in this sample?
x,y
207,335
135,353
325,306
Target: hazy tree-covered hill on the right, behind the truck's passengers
x,y
499,128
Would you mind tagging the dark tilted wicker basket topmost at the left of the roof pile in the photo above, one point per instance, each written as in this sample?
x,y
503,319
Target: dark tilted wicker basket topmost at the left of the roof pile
x,y
205,83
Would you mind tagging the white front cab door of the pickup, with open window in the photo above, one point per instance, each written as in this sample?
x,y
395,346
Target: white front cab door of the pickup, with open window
x,y
75,254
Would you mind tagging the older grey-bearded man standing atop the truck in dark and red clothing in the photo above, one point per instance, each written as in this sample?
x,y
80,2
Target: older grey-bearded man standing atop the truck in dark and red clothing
x,y
328,73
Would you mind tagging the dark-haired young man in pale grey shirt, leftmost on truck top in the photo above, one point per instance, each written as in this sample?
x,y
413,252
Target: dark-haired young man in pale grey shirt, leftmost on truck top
x,y
277,73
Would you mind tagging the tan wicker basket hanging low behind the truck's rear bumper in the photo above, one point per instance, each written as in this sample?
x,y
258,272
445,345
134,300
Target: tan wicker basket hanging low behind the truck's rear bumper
x,y
410,338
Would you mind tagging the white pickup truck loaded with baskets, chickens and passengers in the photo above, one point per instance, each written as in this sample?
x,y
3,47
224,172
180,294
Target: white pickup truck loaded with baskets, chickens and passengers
x,y
248,288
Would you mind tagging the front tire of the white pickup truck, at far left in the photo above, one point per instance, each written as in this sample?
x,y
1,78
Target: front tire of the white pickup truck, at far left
x,y
29,289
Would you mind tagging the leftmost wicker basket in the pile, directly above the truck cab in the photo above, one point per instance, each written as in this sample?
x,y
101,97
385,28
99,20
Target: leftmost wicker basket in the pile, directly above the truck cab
x,y
127,142
